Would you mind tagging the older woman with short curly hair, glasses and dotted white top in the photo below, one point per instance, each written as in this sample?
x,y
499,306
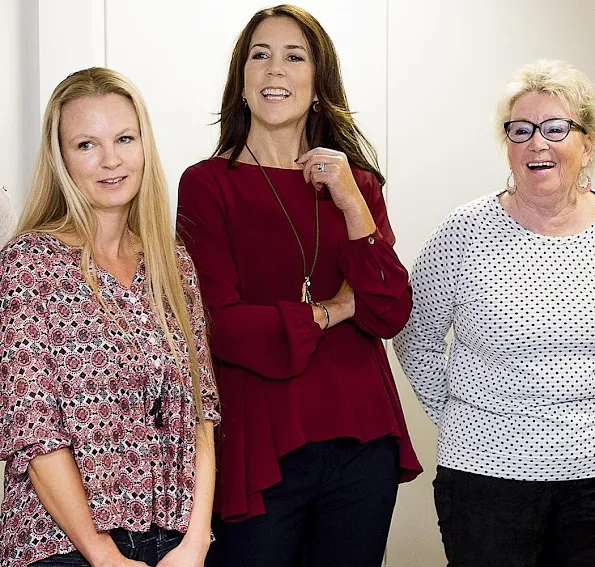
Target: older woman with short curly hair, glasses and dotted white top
x,y
512,273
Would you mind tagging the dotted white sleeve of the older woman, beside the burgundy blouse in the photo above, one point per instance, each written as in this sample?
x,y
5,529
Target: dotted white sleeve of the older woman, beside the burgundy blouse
x,y
422,347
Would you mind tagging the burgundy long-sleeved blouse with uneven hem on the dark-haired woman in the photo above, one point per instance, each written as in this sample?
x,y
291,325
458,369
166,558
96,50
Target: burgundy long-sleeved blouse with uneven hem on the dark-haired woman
x,y
282,380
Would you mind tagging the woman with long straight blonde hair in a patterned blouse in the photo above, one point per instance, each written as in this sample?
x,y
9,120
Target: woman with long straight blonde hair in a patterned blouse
x,y
107,400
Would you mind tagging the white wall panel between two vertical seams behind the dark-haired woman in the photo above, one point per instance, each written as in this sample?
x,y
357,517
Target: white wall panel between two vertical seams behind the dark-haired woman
x,y
182,65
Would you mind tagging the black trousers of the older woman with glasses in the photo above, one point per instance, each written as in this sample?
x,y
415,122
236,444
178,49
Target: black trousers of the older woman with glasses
x,y
494,522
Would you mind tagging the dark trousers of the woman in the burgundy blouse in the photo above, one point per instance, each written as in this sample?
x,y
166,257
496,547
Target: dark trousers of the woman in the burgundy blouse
x,y
333,508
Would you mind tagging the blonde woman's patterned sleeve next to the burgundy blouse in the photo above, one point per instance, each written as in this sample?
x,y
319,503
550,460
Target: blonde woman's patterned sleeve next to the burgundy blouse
x,y
208,387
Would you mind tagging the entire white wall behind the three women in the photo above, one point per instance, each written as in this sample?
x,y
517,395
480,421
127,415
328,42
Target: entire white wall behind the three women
x,y
413,70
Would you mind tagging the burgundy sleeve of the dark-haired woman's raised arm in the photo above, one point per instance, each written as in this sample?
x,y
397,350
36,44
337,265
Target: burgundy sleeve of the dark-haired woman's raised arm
x,y
373,270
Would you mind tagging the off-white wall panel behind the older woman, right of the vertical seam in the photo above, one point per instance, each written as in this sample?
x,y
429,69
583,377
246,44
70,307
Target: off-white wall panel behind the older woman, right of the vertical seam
x,y
448,63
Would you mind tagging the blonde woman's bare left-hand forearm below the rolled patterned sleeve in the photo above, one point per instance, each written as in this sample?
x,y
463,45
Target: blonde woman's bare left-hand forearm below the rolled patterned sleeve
x,y
58,484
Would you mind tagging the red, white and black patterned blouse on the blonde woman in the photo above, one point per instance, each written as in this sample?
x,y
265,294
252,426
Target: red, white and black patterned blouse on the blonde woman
x,y
73,376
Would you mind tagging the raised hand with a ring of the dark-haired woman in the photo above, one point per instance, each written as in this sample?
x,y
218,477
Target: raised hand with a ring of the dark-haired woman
x,y
331,168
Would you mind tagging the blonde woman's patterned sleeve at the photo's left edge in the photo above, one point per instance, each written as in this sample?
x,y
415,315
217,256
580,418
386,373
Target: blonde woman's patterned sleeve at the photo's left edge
x,y
30,419
